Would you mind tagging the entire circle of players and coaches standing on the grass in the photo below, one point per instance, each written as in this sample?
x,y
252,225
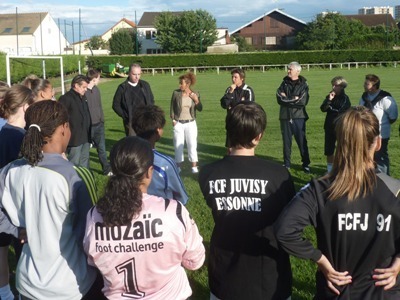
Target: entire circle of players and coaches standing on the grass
x,y
136,240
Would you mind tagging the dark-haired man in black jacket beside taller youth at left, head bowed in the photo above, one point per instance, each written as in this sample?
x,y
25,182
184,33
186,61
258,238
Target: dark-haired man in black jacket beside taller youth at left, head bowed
x,y
79,120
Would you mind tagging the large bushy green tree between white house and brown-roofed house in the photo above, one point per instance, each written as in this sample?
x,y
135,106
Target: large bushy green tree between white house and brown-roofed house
x,y
189,31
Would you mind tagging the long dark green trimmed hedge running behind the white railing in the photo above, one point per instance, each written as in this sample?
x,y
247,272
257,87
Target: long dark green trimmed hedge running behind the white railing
x,y
254,58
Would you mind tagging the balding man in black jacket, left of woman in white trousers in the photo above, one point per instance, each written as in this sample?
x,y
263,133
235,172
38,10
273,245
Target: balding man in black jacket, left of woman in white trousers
x,y
130,94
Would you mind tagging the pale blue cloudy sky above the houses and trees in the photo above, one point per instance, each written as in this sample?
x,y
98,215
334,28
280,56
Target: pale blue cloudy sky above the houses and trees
x,y
97,16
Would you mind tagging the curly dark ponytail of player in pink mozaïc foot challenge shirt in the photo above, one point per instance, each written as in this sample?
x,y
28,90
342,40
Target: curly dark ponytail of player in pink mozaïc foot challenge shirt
x,y
130,158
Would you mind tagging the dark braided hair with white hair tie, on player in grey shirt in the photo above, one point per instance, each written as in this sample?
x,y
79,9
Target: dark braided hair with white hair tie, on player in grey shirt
x,y
42,119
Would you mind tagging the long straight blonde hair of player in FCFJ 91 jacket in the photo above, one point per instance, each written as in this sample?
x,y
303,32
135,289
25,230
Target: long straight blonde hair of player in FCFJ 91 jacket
x,y
356,132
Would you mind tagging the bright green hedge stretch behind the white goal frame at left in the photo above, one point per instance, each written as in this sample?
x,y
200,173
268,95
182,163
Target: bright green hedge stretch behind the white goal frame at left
x,y
21,67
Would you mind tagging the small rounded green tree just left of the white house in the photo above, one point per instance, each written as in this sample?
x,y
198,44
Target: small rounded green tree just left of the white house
x,y
123,42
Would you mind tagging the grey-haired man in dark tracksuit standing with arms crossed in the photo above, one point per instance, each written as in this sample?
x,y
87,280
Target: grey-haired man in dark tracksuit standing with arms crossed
x,y
292,95
